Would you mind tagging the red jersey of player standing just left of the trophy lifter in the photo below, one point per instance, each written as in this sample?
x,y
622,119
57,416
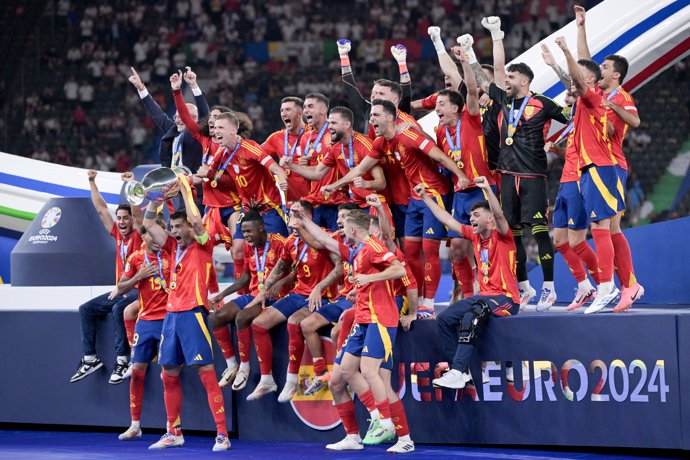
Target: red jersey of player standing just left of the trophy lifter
x,y
153,294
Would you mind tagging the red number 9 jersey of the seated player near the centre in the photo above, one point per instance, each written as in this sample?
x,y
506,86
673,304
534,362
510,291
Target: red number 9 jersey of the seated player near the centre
x,y
312,266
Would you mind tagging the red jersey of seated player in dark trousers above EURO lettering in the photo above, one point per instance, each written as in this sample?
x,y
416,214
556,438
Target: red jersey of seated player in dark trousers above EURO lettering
x,y
497,264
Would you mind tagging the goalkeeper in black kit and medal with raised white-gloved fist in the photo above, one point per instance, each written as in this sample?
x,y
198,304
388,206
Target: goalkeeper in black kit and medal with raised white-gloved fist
x,y
523,119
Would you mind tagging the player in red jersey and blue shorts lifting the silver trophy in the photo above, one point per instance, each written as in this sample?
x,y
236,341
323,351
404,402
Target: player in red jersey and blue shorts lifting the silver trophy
x,y
185,337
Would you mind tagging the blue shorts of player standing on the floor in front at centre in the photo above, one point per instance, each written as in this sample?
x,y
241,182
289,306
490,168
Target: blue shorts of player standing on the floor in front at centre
x,y
368,340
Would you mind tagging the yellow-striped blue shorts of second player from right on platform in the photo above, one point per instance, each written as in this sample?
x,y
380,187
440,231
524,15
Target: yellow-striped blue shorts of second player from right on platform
x,y
599,187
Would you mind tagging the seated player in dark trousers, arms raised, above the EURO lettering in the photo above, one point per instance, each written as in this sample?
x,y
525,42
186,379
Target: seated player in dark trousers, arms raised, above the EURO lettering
x,y
494,248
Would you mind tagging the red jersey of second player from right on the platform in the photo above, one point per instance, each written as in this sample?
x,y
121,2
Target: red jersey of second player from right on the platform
x,y
591,125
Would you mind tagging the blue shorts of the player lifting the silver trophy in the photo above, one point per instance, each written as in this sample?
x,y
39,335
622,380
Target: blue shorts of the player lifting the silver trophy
x,y
185,339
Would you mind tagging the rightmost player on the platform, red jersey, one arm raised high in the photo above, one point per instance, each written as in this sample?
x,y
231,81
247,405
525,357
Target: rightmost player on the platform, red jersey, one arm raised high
x,y
621,112
